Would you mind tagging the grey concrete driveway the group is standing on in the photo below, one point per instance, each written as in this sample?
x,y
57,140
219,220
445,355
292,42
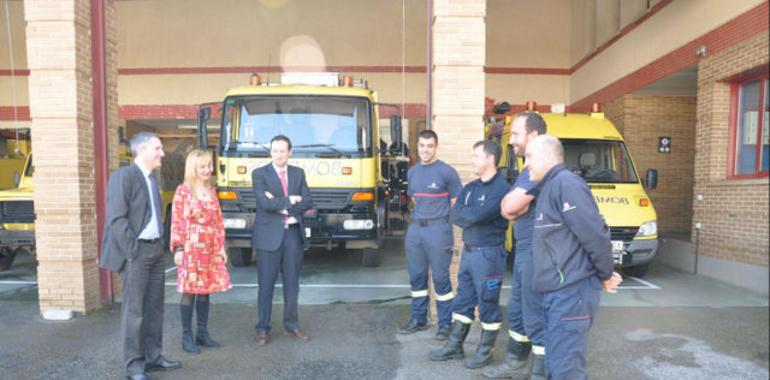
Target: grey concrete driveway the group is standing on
x,y
668,325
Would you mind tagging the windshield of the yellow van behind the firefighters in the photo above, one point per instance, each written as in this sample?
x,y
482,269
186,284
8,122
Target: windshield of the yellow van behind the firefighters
x,y
599,160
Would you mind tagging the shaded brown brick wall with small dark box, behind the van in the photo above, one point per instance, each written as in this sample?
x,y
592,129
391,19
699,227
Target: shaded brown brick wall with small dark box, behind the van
x,y
642,120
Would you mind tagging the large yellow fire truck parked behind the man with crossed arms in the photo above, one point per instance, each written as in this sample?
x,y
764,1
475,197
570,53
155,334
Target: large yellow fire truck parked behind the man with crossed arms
x,y
333,123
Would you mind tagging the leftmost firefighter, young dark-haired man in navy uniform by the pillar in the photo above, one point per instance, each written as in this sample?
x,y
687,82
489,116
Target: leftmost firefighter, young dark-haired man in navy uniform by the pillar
x,y
433,186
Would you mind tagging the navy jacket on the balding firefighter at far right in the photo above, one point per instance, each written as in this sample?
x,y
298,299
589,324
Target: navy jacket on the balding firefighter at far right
x,y
571,241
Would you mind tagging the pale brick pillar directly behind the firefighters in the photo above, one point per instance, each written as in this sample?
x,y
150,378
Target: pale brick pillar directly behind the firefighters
x,y
459,41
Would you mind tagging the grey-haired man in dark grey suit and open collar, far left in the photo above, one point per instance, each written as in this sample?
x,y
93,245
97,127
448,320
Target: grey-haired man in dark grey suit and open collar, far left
x,y
133,247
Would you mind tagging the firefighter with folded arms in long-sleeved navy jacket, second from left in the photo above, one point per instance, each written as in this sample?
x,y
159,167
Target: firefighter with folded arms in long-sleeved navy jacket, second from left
x,y
480,278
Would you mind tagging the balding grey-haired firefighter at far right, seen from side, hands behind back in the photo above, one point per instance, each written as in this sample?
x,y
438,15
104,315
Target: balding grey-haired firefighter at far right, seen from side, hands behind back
x,y
572,258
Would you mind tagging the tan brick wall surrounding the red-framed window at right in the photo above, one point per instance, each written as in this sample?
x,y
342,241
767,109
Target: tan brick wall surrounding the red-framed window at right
x,y
733,213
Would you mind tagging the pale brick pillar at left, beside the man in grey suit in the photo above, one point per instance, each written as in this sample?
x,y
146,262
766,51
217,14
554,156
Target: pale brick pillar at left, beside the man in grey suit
x,y
60,99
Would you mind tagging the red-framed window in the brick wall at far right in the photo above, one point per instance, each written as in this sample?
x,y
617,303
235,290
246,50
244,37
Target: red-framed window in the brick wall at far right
x,y
749,132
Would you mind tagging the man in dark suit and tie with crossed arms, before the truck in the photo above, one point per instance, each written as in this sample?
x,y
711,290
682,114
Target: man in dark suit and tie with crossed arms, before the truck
x,y
279,235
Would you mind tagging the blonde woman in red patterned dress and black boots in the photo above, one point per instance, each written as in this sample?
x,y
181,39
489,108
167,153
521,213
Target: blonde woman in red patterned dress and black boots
x,y
197,240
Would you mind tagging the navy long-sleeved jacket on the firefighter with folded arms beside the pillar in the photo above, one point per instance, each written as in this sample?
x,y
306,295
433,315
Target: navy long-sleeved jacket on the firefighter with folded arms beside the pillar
x,y
477,212
